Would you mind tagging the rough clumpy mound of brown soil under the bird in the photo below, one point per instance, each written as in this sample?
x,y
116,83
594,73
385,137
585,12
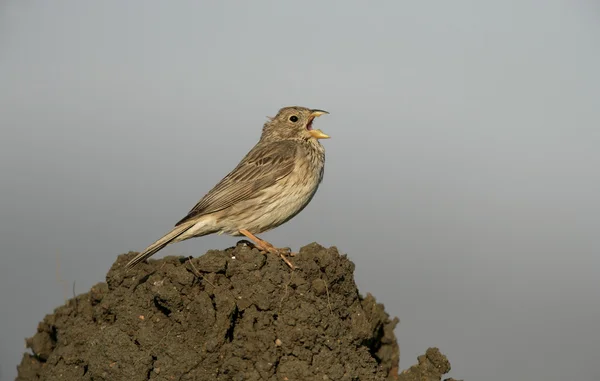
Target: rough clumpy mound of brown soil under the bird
x,y
228,315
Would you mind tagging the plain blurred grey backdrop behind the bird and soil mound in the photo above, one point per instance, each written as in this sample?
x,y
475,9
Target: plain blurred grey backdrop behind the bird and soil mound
x,y
462,175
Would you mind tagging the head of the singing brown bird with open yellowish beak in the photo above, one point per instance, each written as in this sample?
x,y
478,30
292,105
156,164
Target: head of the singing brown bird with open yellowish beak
x,y
293,123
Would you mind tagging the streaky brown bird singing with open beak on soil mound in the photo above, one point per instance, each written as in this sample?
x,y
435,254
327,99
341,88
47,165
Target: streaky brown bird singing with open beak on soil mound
x,y
274,182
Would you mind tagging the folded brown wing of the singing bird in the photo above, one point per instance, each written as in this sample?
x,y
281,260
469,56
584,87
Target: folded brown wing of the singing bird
x,y
262,167
